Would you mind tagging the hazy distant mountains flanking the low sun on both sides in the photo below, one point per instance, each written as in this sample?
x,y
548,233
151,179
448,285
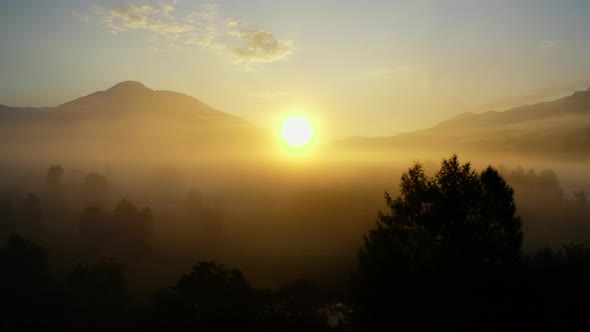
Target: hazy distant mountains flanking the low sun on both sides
x,y
132,120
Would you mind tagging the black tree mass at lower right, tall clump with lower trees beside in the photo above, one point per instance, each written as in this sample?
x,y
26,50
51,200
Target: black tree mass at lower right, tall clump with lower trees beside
x,y
448,257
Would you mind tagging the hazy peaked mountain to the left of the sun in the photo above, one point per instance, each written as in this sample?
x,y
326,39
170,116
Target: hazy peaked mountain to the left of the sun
x,y
125,120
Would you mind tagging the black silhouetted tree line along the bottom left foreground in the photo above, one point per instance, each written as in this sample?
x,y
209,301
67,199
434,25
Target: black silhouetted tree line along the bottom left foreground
x,y
96,297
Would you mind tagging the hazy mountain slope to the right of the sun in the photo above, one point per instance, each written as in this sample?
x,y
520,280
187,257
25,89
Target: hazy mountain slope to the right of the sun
x,y
558,129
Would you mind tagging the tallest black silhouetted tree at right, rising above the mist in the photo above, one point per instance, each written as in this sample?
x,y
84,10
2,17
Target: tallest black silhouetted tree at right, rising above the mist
x,y
444,238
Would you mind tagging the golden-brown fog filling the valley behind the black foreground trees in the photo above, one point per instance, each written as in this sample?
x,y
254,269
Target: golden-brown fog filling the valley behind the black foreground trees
x,y
276,218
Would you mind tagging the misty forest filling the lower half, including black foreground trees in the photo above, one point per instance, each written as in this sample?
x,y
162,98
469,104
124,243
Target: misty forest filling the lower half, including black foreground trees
x,y
453,248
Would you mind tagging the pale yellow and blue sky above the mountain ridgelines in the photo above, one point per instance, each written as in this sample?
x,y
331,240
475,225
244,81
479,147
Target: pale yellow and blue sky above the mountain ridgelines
x,y
357,68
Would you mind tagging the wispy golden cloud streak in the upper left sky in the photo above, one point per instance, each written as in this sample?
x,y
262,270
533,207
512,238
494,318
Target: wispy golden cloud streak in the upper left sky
x,y
203,27
